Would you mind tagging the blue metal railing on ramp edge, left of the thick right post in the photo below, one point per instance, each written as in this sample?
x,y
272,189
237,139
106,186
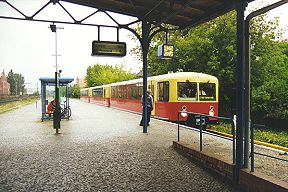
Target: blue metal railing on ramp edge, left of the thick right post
x,y
201,116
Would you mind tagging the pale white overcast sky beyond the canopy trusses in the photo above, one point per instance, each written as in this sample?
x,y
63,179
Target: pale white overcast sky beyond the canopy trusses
x,y
28,47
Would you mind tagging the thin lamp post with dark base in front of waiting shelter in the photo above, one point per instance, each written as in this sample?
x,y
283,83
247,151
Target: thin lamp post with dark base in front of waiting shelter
x,y
57,112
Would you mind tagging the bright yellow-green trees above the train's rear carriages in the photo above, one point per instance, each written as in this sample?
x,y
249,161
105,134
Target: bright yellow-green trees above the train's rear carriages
x,y
106,74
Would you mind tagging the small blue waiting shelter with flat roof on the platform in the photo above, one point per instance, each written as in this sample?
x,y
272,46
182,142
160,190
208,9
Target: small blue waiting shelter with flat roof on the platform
x,y
50,81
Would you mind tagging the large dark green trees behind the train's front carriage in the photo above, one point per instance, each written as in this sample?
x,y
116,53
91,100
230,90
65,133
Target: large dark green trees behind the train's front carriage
x,y
211,48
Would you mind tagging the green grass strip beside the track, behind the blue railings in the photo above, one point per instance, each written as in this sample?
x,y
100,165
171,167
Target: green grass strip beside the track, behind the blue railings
x,y
275,137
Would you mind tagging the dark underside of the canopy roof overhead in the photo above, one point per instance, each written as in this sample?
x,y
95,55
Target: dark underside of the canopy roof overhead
x,y
182,13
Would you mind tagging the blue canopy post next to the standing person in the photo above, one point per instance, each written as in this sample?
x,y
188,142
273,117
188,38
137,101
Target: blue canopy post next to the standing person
x,y
145,47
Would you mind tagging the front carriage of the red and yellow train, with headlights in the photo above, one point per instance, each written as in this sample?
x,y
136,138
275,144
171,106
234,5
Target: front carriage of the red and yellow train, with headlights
x,y
197,92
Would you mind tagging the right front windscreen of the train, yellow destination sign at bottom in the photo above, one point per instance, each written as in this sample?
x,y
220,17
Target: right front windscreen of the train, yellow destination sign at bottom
x,y
207,91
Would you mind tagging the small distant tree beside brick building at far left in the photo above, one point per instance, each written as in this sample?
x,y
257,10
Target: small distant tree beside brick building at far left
x,y
16,81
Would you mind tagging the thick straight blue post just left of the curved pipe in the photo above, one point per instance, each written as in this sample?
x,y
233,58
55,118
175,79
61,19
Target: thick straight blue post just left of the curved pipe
x,y
240,87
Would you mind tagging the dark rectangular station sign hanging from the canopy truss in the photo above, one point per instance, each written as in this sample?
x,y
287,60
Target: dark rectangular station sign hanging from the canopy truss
x,y
108,48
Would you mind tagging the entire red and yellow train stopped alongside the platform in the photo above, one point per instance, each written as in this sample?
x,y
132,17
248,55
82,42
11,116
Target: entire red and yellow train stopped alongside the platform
x,y
197,92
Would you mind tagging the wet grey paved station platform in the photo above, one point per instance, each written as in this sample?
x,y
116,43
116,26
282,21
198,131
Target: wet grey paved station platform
x,y
104,149
